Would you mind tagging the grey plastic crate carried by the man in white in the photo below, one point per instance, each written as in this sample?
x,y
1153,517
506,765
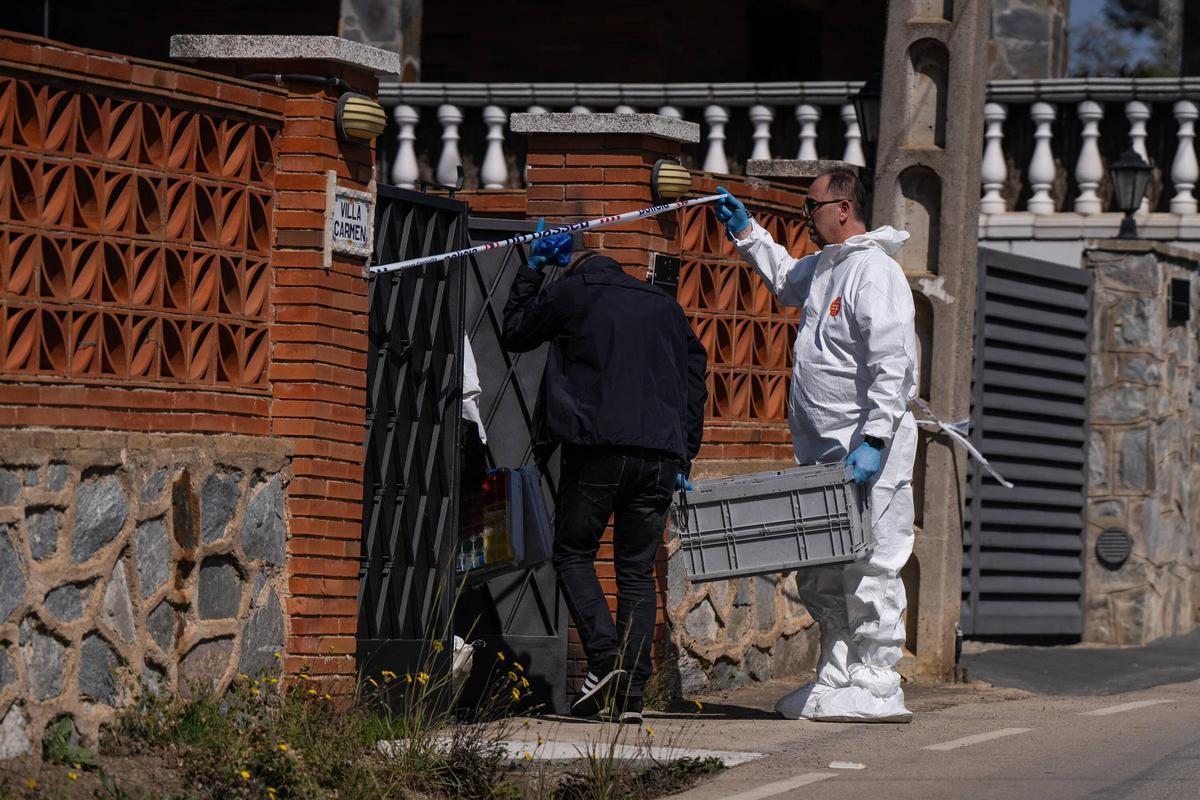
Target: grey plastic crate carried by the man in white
x,y
773,522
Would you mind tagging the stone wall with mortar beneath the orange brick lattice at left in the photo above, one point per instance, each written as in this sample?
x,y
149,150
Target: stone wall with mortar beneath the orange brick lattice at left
x,y
134,563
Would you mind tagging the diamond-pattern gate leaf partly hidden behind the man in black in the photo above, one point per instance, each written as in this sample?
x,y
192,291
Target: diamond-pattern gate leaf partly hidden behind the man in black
x,y
519,611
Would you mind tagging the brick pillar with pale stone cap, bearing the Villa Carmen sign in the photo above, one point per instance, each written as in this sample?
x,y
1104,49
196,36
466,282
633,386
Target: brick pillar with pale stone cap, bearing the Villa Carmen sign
x,y
319,333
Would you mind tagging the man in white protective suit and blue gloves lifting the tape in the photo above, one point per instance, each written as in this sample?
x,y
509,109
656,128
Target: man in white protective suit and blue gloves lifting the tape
x,y
854,376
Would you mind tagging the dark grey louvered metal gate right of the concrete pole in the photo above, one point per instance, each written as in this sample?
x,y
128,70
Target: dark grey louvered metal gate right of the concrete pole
x,y
1023,549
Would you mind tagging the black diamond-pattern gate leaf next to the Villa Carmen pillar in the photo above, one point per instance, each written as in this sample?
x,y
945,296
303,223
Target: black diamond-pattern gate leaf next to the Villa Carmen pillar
x,y
415,399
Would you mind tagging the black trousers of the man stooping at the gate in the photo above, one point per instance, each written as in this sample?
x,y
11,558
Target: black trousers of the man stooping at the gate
x,y
635,488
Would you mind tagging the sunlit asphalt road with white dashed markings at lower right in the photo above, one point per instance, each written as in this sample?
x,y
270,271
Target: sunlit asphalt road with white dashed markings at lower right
x,y
1143,744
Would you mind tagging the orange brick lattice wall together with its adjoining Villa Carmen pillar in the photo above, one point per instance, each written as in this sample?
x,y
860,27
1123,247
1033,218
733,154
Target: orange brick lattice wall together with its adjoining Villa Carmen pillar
x,y
163,270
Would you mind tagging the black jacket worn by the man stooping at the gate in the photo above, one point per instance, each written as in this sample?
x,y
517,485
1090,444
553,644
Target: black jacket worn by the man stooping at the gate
x,y
623,369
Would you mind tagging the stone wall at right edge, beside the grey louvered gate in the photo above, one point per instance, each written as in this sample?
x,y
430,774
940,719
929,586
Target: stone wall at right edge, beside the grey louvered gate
x,y
1144,459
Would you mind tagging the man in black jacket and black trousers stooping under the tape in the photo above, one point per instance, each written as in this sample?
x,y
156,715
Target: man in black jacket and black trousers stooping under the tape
x,y
625,396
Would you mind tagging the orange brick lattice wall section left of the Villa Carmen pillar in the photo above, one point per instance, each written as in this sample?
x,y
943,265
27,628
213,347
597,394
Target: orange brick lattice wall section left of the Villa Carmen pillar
x,y
135,243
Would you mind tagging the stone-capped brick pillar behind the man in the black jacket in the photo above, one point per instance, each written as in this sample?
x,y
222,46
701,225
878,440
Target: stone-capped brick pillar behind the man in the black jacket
x,y
587,166
